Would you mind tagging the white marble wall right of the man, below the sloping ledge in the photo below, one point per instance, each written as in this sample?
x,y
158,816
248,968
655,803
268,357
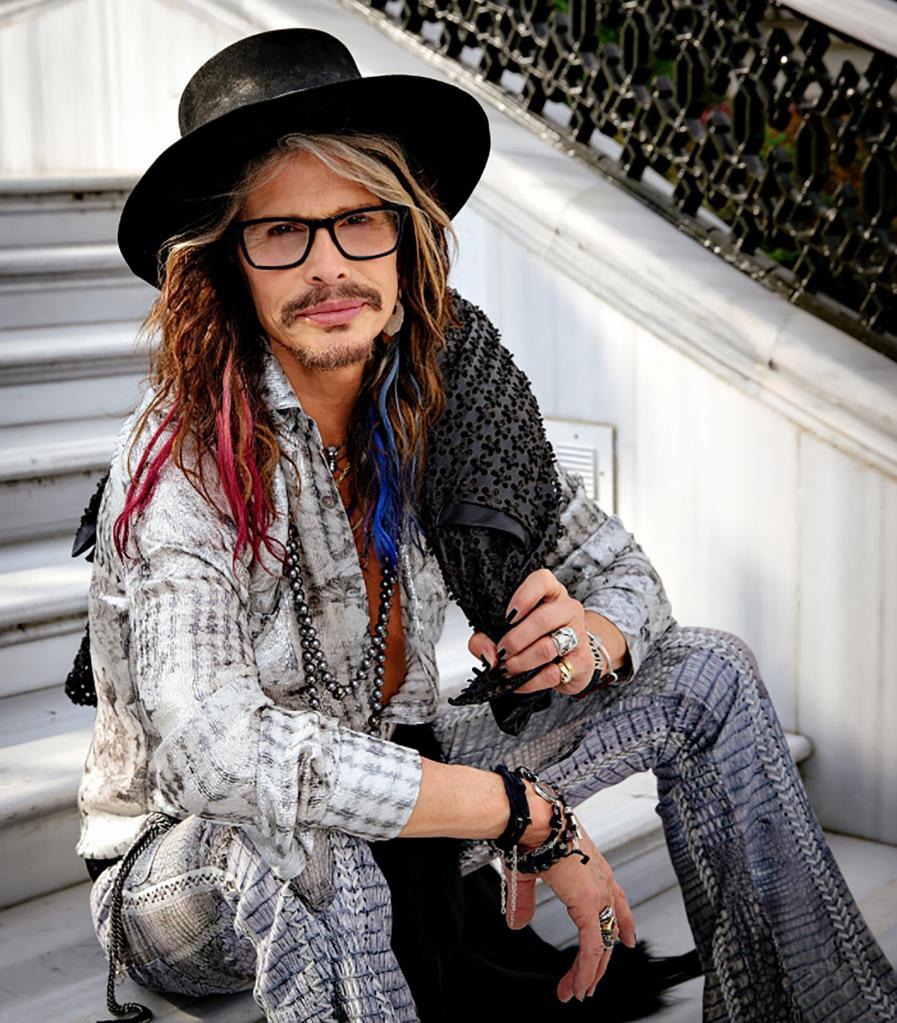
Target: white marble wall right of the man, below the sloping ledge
x,y
756,525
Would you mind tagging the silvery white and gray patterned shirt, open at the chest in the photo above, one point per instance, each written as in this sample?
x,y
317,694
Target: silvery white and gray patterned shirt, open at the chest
x,y
201,692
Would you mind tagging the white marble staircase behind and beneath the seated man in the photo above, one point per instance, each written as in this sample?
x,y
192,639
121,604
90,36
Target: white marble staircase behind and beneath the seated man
x,y
69,374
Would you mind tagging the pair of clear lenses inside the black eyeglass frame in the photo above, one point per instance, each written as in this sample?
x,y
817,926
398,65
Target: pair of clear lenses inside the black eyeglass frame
x,y
280,243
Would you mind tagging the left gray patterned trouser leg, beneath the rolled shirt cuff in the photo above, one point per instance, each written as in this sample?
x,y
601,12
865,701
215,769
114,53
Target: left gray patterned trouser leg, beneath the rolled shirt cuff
x,y
204,915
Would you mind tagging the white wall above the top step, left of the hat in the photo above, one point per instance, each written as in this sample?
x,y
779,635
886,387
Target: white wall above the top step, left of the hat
x,y
95,84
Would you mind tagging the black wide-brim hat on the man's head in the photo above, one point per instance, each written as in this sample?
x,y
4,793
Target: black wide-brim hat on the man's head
x,y
243,100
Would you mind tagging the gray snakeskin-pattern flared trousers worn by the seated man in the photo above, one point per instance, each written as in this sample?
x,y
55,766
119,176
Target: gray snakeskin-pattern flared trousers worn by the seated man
x,y
779,933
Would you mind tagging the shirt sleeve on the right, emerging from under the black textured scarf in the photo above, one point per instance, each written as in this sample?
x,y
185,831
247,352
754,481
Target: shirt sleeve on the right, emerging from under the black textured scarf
x,y
604,568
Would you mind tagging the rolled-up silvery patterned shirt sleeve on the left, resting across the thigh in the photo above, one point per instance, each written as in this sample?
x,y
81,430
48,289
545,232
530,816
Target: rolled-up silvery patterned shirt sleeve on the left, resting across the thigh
x,y
226,750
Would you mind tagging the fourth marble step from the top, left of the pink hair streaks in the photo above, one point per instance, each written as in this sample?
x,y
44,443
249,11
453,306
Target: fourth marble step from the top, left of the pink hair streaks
x,y
49,472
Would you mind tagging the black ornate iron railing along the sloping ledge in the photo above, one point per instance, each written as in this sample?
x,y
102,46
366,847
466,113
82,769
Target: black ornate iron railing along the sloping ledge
x,y
757,130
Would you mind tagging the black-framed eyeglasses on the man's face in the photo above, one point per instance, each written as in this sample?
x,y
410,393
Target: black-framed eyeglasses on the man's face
x,y
281,243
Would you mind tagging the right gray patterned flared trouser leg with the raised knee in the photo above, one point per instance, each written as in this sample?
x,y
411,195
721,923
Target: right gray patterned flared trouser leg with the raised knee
x,y
776,926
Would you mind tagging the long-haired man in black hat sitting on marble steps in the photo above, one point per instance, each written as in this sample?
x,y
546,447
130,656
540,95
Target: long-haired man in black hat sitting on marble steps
x,y
262,622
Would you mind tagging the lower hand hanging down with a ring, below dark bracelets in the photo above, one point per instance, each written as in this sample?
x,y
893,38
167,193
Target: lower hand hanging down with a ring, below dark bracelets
x,y
586,889
